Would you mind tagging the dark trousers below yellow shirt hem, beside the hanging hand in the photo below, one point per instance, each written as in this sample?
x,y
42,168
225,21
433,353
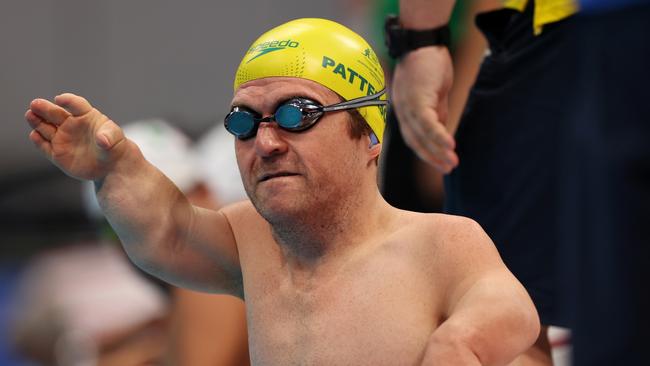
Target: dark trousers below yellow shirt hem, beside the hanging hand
x,y
507,178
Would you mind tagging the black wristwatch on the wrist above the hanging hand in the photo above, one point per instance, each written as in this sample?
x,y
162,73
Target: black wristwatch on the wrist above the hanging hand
x,y
400,41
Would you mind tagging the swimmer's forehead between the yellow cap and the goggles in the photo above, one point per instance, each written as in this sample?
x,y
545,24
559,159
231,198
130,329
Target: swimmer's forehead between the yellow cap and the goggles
x,y
280,88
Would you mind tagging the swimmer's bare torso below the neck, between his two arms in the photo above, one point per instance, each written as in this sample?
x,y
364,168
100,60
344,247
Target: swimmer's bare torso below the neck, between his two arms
x,y
379,307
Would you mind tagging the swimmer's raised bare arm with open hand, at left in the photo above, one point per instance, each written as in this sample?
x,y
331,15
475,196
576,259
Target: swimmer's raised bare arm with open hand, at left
x,y
160,230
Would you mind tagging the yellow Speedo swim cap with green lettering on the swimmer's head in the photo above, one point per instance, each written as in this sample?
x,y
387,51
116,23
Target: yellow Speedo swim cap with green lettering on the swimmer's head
x,y
322,51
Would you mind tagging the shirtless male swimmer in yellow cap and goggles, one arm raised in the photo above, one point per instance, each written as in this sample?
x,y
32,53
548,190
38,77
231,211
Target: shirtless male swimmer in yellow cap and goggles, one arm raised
x,y
331,274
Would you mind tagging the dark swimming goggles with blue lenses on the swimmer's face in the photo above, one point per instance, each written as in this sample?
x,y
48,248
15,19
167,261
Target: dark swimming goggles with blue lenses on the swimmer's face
x,y
294,115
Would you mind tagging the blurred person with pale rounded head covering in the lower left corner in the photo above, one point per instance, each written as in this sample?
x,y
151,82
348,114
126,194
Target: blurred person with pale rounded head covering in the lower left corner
x,y
84,304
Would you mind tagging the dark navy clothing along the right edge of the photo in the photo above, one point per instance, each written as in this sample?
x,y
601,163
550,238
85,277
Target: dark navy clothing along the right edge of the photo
x,y
605,180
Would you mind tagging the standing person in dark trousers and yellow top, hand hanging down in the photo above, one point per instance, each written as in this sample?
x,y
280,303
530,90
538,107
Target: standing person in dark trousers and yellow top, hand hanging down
x,y
503,161
